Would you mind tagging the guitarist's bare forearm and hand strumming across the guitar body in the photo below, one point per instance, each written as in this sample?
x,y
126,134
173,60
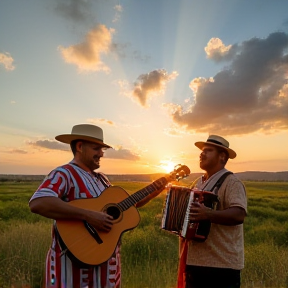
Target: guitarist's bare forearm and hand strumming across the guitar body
x,y
55,208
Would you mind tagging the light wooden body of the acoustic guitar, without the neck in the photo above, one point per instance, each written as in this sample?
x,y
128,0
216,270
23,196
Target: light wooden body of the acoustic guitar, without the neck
x,y
78,239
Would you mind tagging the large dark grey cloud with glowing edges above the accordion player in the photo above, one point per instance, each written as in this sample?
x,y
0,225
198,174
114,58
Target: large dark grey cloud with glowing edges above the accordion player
x,y
249,95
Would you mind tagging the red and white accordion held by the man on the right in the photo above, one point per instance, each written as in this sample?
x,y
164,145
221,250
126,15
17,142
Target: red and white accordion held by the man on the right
x,y
176,211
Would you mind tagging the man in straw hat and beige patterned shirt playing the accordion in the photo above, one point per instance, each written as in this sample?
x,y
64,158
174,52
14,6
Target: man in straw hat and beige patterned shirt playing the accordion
x,y
217,261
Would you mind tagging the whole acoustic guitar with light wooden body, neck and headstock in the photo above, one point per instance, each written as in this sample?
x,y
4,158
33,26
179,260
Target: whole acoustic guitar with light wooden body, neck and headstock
x,y
94,247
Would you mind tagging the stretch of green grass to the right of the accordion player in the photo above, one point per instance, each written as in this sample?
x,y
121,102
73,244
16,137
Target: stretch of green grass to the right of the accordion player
x,y
266,235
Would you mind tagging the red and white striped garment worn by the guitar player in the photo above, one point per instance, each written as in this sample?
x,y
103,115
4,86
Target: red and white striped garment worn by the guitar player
x,y
70,182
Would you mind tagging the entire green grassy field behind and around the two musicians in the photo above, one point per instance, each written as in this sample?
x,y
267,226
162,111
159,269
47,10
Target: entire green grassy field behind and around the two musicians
x,y
149,254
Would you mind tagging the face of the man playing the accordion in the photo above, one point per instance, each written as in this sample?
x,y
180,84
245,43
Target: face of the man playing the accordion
x,y
209,157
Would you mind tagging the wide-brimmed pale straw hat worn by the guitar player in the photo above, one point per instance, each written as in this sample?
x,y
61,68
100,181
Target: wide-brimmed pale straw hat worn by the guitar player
x,y
88,132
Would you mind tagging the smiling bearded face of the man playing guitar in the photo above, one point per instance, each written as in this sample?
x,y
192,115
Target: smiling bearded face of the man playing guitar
x,y
91,154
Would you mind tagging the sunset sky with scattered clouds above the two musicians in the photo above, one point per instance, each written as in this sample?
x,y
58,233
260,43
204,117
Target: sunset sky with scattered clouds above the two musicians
x,y
156,76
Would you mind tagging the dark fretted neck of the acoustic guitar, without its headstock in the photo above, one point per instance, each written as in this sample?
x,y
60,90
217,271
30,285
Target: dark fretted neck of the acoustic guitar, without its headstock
x,y
141,194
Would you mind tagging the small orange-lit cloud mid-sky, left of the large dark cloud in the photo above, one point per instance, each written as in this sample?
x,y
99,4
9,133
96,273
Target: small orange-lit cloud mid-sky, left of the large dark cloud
x,y
151,84
